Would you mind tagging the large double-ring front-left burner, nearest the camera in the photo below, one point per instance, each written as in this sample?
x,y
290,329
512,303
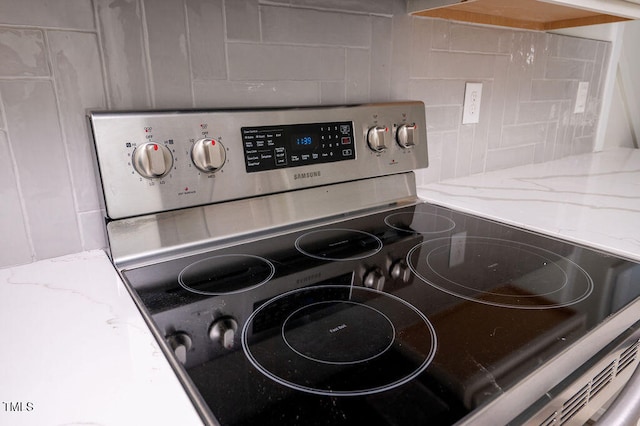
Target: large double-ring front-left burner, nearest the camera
x,y
338,340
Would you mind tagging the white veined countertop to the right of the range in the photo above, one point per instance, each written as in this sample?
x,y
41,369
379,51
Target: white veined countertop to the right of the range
x,y
591,199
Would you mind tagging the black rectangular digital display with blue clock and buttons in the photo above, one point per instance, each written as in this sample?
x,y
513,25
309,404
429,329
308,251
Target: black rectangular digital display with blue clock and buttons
x,y
273,147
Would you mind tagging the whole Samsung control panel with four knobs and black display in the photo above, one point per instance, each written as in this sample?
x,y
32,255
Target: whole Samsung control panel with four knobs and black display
x,y
156,161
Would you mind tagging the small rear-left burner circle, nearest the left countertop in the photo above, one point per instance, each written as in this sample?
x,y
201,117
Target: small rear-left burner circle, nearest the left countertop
x,y
226,274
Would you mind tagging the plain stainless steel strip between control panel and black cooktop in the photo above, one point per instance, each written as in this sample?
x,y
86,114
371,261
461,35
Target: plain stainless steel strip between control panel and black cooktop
x,y
137,240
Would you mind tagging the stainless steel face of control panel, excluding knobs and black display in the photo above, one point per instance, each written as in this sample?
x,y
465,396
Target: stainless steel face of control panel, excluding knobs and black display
x,y
127,194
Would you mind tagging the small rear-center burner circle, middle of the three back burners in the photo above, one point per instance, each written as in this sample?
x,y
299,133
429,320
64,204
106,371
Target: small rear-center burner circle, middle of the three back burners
x,y
338,244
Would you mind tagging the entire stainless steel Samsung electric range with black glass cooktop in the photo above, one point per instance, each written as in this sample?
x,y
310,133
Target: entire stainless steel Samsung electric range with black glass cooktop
x,y
292,276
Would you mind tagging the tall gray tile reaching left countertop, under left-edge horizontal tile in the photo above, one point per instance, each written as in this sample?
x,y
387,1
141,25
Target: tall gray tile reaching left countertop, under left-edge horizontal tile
x,y
43,166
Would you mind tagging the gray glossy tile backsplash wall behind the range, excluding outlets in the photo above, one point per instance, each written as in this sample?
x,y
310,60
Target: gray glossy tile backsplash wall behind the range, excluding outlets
x,y
60,59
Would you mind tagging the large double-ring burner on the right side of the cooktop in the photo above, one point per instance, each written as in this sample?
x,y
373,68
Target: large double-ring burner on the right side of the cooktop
x,y
500,272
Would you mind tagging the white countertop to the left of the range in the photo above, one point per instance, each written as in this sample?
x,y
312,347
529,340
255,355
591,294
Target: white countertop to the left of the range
x,y
77,351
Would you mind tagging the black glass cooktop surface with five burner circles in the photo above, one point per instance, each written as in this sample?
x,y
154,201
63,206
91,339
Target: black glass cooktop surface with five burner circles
x,y
415,315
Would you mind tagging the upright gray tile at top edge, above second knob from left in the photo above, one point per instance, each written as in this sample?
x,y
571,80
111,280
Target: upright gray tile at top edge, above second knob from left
x,y
206,39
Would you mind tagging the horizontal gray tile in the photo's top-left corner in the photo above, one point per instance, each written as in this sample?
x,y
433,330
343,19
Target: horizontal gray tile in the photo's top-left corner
x,y
75,14
